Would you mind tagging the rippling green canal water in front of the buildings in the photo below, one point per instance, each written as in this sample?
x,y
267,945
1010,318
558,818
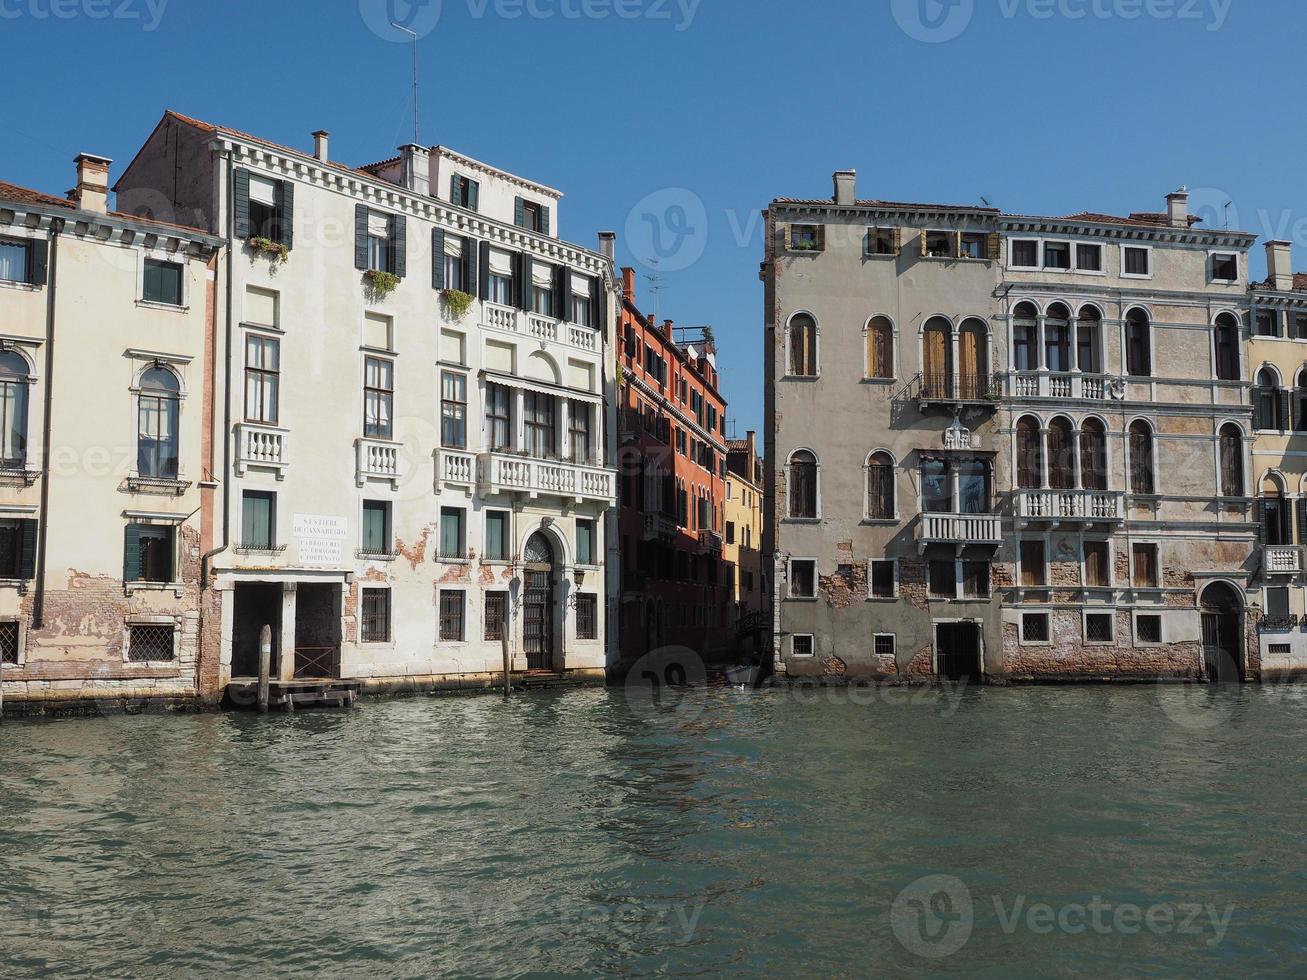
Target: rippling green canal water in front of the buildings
x,y
1048,832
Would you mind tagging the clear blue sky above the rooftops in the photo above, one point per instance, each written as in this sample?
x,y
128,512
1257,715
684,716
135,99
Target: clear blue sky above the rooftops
x,y
697,113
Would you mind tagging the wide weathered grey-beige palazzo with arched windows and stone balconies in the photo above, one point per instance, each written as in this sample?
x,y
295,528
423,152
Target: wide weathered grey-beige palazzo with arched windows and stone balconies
x,y
1006,448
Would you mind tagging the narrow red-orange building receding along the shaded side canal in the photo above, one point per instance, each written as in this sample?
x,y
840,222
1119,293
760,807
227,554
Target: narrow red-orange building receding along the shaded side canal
x,y
676,587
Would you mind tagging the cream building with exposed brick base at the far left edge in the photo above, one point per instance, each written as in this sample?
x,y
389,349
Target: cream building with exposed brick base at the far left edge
x,y
107,496
